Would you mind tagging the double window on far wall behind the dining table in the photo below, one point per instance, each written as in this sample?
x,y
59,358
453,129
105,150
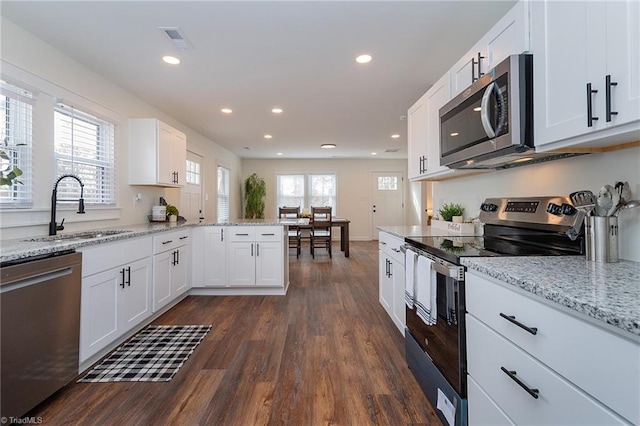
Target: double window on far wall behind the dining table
x,y
306,191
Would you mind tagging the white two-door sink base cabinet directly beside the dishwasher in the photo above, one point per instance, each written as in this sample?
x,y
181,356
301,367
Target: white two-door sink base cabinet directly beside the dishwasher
x,y
116,292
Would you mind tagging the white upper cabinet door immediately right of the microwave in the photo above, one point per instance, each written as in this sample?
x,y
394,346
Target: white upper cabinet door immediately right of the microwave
x,y
565,53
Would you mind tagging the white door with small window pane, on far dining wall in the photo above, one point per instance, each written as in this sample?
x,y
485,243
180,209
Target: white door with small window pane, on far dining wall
x,y
387,200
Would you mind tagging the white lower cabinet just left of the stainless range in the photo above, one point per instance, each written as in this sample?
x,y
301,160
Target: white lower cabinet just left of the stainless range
x,y
392,278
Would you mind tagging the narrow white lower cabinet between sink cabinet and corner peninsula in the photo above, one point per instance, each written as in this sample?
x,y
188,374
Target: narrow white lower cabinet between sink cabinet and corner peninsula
x,y
170,266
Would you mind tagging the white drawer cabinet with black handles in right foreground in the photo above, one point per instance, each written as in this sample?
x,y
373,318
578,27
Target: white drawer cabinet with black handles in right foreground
x,y
538,364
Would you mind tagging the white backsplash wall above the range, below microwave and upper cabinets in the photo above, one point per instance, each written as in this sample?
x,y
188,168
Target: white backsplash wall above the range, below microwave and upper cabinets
x,y
560,177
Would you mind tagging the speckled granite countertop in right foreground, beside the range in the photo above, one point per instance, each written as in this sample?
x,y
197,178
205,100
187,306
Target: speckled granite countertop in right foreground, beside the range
x,y
608,292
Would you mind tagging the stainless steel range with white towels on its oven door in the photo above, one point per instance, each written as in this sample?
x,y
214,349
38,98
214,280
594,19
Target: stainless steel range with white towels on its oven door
x,y
435,293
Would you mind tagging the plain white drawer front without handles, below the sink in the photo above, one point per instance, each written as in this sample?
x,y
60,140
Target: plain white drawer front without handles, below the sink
x,y
106,256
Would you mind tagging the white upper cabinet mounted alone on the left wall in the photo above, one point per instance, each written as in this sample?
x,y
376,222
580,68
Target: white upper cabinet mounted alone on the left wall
x,y
157,153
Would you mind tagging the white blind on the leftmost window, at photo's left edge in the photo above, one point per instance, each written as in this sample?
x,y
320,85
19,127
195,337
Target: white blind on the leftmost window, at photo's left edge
x,y
16,131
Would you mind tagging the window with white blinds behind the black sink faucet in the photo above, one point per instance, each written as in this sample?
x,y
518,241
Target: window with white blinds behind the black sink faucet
x,y
84,146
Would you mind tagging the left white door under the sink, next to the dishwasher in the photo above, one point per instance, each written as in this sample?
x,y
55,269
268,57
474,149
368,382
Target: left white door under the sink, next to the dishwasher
x,y
99,311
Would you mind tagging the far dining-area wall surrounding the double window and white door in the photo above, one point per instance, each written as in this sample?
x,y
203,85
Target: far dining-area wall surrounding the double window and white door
x,y
354,186
